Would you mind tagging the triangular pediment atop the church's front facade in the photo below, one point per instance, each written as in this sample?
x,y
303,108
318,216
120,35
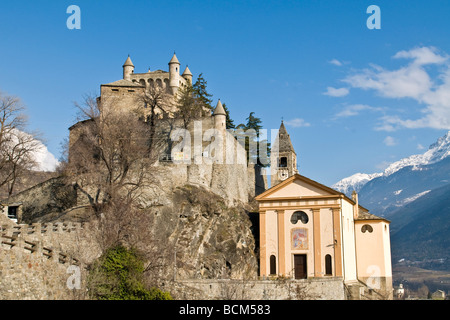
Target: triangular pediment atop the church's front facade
x,y
297,186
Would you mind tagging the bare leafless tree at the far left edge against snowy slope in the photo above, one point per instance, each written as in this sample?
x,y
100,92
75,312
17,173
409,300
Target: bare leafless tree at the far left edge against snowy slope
x,y
16,145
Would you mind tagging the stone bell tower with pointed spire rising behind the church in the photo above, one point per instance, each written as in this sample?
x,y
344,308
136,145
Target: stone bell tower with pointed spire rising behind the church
x,y
284,162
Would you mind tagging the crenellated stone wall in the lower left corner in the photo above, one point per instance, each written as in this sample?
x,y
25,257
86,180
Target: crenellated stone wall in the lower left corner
x,y
38,261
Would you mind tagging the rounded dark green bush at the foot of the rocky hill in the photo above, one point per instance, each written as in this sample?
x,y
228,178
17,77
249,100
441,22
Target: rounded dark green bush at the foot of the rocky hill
x,y
118,275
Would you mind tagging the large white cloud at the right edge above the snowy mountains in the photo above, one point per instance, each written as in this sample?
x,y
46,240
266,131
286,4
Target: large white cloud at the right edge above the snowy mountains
x,y
415,80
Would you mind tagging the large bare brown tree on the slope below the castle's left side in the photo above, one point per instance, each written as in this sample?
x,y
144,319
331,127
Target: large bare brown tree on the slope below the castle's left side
x,y
109,159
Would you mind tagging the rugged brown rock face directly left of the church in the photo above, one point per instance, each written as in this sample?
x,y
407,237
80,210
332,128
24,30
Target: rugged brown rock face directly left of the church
x,y
207,238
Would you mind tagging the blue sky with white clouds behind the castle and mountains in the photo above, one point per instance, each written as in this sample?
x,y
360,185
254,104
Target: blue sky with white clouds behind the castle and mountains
x,y
353,99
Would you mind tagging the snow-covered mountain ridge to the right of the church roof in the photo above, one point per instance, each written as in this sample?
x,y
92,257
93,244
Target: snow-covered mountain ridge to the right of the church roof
x,y
435,153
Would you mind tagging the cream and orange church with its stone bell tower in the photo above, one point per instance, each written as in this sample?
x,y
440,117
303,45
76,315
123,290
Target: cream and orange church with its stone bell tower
x,y
309,230
